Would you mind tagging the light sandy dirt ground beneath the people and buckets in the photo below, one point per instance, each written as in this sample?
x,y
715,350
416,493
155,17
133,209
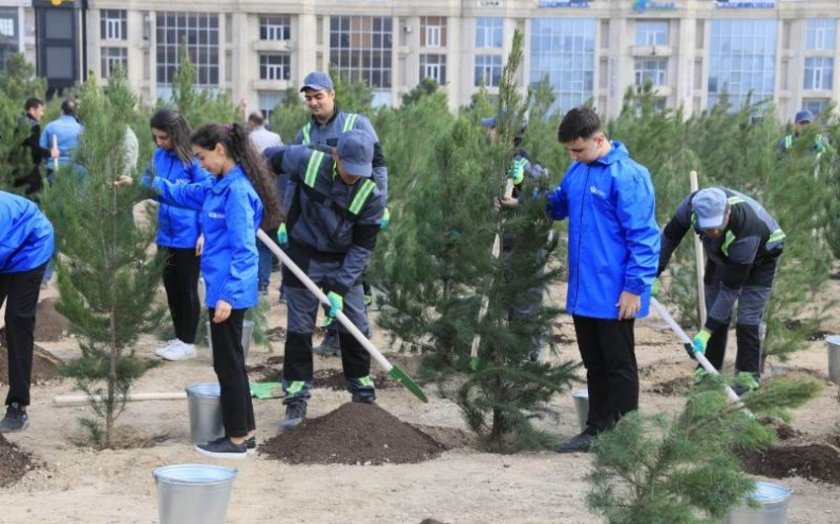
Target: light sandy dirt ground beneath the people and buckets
x,y
72,484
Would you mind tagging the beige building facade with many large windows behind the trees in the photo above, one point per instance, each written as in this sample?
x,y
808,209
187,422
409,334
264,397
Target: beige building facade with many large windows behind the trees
x,y
692,51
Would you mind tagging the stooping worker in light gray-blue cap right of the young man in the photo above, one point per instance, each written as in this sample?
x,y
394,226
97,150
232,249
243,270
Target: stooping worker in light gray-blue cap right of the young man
x,y
743,245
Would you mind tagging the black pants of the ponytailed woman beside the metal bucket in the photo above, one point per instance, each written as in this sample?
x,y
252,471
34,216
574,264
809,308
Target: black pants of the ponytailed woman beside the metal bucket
x,y
229,365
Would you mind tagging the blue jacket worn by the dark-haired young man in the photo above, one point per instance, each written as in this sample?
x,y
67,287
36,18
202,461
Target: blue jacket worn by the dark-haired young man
x,y
613,236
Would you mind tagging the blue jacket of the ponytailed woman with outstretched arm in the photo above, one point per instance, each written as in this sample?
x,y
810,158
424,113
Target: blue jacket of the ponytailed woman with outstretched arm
x,y
230,213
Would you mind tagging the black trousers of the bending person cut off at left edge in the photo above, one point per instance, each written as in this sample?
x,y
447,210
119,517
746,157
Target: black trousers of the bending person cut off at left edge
x,y
22,290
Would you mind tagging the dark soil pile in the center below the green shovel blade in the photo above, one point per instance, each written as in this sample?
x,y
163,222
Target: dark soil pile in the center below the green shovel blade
x,y
354,433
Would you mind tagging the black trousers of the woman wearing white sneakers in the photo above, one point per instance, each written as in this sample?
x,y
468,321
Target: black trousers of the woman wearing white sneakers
x,y
180,278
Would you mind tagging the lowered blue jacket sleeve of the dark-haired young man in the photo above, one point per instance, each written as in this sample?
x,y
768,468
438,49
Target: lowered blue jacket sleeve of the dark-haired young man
x,y
636,210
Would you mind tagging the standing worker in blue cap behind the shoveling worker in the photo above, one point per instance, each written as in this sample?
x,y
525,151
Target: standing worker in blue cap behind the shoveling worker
x,y
328,121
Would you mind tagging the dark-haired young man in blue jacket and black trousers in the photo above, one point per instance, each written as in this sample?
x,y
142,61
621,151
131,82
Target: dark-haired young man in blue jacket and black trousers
x,y
613,258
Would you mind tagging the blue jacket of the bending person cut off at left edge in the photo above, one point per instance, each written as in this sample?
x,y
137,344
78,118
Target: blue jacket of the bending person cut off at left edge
x,y
27,239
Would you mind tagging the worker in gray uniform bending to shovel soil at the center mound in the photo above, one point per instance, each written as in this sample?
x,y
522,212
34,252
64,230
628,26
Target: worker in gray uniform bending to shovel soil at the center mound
x,y
334,211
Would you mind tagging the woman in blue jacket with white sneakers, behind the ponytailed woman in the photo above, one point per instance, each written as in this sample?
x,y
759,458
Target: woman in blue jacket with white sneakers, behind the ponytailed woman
x,y
178,231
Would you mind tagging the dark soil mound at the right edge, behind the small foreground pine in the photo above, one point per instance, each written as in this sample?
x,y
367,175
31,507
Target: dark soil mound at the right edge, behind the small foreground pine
x,y
813,461
